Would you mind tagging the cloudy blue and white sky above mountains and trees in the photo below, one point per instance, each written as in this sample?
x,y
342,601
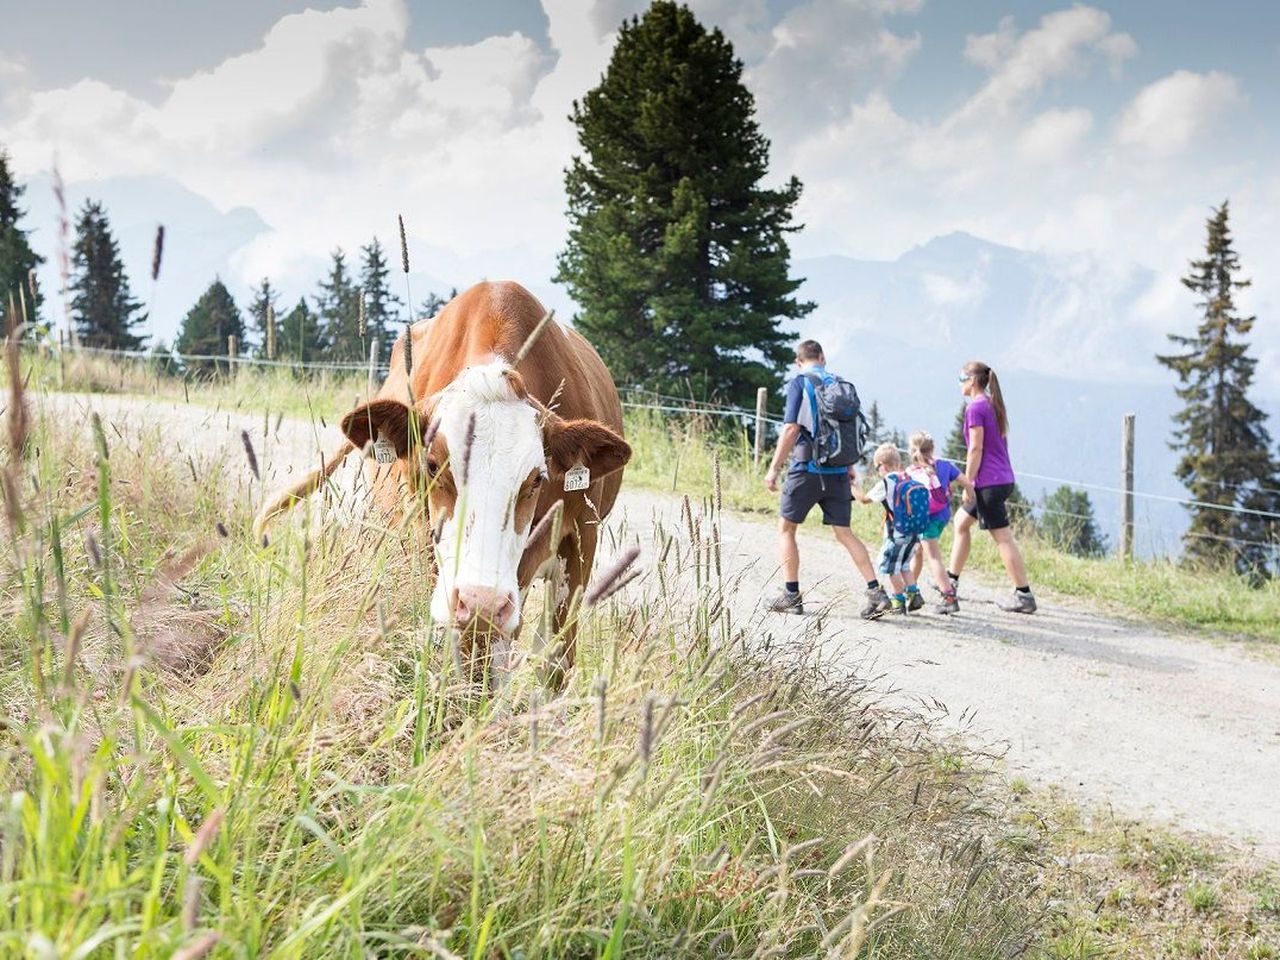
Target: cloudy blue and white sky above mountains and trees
x,y
1096,135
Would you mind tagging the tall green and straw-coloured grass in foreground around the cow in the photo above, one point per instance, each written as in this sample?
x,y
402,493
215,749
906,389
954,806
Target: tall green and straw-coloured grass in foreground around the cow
x,y
214,748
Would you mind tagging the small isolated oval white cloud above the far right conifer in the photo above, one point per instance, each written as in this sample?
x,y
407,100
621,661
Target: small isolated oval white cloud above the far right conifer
x,y
1168,116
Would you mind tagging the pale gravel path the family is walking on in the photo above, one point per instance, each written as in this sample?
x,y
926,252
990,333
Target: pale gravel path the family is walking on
x,y
1155,723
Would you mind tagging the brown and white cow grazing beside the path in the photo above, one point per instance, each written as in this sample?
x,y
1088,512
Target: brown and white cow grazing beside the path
x,y
501,441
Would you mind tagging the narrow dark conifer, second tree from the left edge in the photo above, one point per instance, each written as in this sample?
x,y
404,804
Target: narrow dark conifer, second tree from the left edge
x,y
103,308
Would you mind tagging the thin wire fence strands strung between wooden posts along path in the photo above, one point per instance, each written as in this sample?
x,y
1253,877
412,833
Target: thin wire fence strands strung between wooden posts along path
x,y
644,400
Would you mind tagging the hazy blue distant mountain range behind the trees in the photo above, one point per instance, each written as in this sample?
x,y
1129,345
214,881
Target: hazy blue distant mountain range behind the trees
x,y
1067,335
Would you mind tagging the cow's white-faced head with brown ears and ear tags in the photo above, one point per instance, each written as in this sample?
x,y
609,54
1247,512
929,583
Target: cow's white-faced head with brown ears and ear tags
x,y
492,456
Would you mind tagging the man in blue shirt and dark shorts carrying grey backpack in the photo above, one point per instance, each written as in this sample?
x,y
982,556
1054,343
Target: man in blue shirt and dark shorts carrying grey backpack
x,y
822,437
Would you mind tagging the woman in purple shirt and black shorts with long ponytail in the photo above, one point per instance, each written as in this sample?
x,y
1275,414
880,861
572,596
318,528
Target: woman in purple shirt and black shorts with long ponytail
x,y
988,467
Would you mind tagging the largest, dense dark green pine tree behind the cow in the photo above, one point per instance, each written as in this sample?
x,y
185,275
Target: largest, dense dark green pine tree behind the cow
x,y
678,255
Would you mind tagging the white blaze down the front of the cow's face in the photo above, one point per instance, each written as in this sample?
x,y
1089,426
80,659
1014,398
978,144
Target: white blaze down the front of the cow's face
x,y
479,546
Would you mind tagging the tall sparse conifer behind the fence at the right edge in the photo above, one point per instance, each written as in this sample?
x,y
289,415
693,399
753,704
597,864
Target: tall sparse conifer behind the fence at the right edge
x,y
1223,437
